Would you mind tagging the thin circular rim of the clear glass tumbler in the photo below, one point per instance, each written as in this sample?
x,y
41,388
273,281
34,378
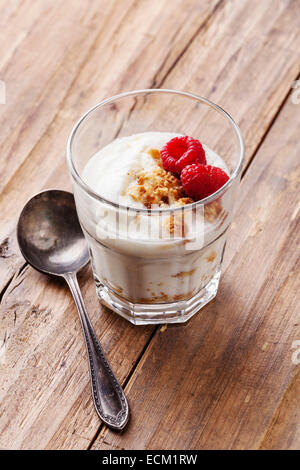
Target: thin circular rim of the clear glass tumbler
x,y
192,205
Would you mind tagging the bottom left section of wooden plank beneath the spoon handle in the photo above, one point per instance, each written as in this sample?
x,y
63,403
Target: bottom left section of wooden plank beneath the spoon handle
x,y
45,391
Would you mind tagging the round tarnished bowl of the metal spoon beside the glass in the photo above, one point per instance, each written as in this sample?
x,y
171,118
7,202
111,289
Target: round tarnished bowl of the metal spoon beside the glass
x,y
49,234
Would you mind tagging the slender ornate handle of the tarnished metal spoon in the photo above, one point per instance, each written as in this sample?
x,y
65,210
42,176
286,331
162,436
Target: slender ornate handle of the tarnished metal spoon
x,y
109,399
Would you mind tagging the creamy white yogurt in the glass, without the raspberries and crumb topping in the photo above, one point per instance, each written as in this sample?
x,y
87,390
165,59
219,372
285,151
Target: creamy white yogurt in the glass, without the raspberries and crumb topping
x,y
136,265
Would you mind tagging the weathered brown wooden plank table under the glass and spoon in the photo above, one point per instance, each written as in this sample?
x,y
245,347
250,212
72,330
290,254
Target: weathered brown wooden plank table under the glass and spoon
x,y
229,378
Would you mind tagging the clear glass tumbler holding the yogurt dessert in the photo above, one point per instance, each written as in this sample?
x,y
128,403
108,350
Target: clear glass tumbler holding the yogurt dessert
x,y
155,264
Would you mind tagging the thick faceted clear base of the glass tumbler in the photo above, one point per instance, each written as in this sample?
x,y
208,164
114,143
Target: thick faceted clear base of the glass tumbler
x,y
143,314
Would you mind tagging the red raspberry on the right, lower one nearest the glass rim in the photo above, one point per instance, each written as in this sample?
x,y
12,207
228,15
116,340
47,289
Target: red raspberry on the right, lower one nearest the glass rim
x,y
200,181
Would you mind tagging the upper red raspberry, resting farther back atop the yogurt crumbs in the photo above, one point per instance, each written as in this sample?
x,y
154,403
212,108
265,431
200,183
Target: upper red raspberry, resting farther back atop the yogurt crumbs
x,y
180,152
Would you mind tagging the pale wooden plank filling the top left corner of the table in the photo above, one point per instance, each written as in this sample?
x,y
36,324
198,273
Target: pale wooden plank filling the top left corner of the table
x,y
39,68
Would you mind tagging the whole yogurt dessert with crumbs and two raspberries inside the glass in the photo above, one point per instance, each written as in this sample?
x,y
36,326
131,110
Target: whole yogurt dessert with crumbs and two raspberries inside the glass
x,y
150,243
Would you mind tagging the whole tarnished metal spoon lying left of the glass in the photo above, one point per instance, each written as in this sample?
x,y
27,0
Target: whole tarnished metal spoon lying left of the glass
x,y
51,240
